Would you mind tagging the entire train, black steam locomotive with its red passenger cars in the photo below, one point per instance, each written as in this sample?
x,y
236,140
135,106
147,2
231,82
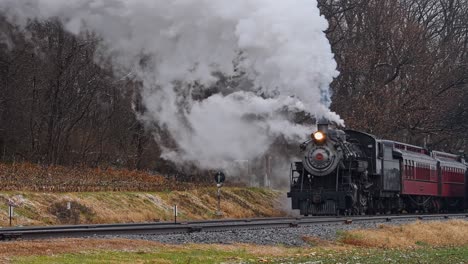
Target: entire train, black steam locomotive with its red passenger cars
x,y
347,172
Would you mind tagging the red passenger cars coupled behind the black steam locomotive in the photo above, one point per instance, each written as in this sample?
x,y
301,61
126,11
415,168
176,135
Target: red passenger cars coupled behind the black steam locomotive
x,y
431,179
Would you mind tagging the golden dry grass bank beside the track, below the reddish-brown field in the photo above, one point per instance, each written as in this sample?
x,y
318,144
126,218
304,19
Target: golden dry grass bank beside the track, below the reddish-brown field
x,y
117,207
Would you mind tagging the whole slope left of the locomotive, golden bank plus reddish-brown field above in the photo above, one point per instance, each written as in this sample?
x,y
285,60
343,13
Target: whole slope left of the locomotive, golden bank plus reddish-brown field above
x,y
113,196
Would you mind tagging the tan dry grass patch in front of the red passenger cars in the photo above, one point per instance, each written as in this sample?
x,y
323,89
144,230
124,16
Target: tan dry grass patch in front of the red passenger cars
x,y
450,233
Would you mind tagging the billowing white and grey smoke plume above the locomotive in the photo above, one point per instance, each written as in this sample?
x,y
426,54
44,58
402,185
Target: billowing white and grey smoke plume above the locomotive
x,y
275,48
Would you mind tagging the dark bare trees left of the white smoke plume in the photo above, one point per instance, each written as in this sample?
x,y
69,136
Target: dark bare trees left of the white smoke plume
x,y
58,107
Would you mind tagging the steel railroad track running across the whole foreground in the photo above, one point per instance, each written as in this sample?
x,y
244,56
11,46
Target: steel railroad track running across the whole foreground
x,y
160,228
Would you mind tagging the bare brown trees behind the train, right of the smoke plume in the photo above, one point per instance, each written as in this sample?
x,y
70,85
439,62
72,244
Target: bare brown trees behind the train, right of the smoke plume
x,y
404,68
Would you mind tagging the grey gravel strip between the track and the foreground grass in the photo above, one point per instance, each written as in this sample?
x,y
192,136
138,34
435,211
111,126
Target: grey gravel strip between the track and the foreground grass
x,y
280,236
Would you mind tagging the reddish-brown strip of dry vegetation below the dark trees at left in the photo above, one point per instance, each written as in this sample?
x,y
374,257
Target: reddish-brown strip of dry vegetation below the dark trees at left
x,y
33,177
